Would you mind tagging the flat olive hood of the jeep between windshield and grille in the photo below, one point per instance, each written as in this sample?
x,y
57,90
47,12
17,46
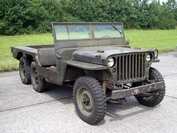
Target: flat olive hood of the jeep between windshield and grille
x,y
97,55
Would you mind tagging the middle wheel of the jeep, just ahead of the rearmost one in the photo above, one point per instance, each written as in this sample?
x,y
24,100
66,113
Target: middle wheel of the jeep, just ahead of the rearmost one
x,y
38,82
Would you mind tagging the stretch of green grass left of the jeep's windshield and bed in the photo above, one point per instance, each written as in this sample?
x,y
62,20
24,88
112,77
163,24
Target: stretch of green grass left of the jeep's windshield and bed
x,y
7,62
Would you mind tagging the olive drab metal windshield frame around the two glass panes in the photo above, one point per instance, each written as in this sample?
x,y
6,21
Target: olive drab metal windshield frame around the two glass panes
x,y
87,42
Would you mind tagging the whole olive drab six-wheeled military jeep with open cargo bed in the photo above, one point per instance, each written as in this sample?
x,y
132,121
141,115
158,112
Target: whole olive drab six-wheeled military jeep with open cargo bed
x,y
96,60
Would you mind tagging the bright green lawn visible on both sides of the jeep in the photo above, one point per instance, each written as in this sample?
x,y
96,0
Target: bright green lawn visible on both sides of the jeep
x,y
163,40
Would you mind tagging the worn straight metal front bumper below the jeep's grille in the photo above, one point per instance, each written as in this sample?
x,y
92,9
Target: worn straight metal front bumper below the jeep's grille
x,y
117,94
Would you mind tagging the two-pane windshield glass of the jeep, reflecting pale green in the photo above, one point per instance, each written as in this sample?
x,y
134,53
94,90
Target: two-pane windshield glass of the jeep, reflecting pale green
x,y
88,31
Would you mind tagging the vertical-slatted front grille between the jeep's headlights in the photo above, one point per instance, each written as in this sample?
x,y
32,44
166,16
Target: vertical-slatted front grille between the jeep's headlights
x,y
131,66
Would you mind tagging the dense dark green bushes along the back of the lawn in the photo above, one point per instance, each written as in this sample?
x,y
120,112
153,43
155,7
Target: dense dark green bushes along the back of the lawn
x,y
35,16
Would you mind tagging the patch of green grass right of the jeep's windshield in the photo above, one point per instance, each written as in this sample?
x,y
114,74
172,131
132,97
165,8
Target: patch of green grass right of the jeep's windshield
x,y
163,40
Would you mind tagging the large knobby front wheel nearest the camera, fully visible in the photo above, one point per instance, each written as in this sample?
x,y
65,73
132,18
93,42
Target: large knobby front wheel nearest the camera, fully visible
x,y
89,100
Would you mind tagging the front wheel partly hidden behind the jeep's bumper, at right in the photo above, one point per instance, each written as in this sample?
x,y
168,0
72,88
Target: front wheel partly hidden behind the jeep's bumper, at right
x,y
153,100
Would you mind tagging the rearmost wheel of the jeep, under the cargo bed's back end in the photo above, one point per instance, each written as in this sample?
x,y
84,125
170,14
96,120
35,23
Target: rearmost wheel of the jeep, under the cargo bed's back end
x,y
24,70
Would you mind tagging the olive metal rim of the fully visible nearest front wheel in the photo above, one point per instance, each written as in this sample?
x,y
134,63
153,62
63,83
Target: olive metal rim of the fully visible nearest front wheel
x,y
85,101
